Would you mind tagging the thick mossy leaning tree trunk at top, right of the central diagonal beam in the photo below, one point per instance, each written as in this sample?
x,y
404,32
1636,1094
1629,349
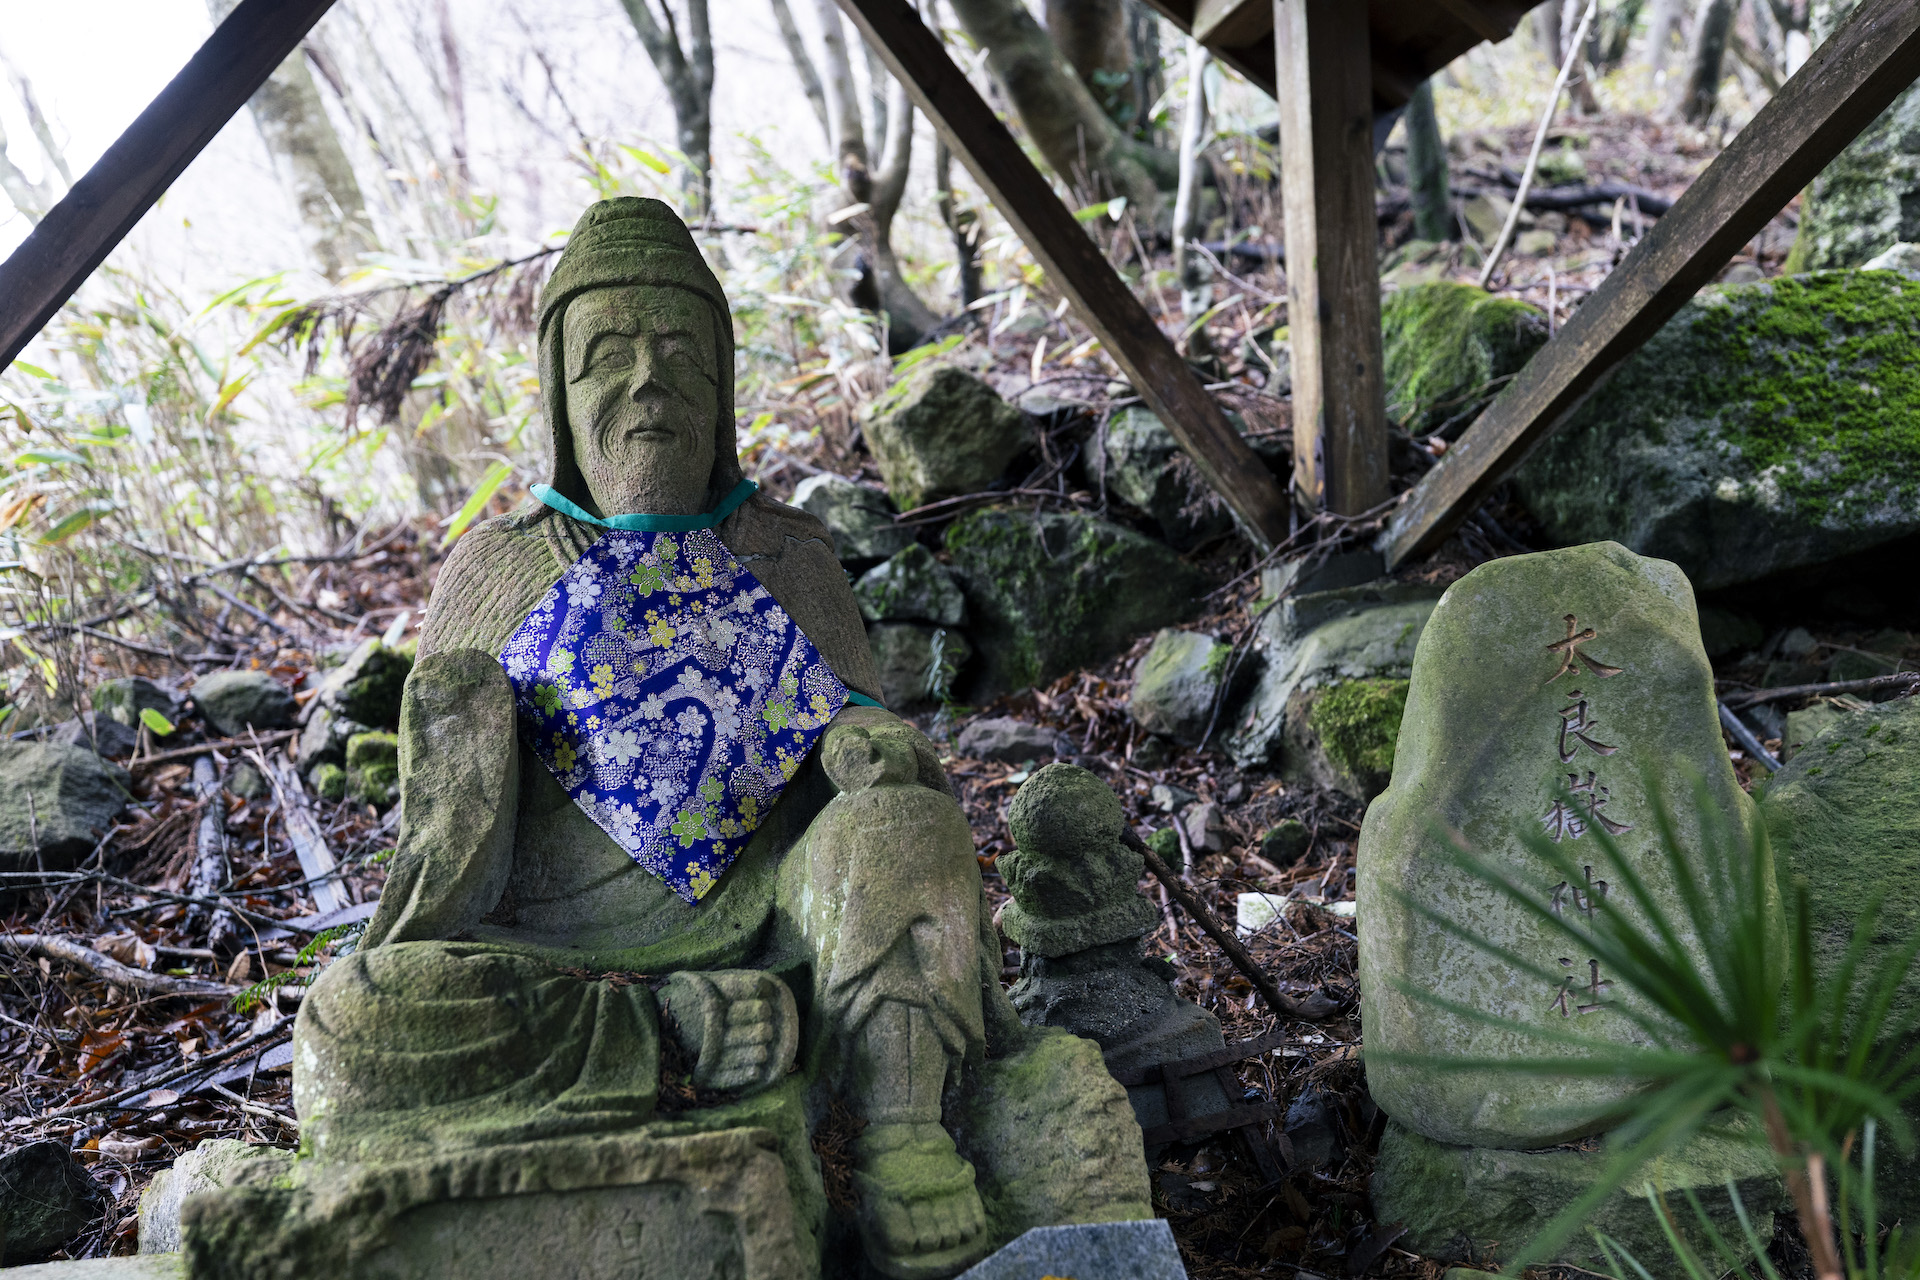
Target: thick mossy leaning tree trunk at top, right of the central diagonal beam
x,y
1070,130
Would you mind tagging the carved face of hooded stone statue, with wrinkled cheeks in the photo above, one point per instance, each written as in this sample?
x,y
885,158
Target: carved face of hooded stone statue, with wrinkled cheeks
x,y
642,396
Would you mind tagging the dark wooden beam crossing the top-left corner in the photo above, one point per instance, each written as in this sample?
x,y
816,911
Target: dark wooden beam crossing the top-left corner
x,y
76,235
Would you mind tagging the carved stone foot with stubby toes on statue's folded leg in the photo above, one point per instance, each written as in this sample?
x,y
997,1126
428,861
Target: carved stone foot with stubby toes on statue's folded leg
x,y
740,1028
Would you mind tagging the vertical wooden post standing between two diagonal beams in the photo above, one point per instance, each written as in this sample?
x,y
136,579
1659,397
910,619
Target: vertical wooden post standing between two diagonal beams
x,y
1333,273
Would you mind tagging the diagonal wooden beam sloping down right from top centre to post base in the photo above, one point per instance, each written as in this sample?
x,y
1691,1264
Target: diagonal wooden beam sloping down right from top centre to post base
x,y
1076,266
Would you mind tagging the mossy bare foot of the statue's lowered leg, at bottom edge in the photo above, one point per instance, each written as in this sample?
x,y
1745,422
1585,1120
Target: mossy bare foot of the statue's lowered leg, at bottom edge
x,y
921,1216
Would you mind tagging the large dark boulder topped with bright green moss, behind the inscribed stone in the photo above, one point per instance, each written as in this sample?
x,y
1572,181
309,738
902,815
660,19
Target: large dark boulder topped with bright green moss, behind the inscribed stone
x,y
1765,427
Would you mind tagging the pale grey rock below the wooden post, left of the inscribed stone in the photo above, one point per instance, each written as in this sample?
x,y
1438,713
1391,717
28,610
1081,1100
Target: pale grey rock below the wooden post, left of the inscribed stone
x,y
1318,642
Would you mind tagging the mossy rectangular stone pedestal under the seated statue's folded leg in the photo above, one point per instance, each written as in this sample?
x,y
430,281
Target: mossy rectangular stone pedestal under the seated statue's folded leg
x,y
690,1208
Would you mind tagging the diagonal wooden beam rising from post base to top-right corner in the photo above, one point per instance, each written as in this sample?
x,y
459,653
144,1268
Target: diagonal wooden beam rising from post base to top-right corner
x,y
1848,82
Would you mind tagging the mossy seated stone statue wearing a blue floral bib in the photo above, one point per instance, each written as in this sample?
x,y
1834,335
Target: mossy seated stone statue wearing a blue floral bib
x,y
646,813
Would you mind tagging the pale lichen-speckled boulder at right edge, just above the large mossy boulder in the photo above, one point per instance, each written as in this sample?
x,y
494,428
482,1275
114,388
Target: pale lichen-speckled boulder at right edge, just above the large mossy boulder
x,y
1869,197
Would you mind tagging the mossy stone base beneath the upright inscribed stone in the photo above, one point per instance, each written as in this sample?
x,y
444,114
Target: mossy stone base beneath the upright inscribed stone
x,y
1485,1204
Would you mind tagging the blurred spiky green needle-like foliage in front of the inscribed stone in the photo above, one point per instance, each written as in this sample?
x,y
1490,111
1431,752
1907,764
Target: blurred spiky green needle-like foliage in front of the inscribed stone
x,y
1812,1056
